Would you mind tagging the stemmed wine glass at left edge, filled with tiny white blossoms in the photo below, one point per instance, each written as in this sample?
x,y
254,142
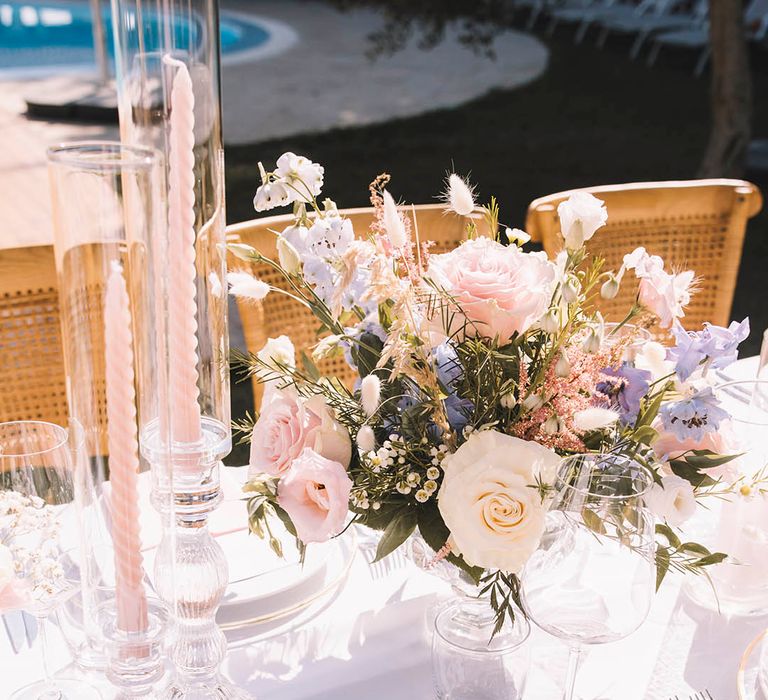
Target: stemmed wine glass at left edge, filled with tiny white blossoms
x,y
36,488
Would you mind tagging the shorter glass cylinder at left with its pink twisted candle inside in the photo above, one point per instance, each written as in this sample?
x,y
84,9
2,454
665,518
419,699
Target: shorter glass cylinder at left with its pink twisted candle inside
x,y
109,214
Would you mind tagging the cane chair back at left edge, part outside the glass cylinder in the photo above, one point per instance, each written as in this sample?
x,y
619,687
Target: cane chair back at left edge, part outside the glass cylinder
x,y
32,380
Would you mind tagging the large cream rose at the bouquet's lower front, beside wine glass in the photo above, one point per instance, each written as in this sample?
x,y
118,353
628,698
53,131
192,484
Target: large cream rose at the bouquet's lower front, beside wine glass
x,y
496,519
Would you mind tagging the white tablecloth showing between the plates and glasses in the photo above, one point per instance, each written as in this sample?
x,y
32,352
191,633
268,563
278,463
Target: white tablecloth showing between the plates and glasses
x,y
371,641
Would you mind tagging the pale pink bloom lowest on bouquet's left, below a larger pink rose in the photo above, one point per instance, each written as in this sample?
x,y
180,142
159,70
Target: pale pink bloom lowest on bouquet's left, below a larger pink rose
x,y
315,494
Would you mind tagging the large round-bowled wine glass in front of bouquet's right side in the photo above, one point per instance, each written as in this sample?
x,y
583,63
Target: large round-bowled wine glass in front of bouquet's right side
x,y
592,579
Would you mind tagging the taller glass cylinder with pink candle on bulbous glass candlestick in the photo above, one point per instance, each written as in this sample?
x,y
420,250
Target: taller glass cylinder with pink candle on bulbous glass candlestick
x,y
167,63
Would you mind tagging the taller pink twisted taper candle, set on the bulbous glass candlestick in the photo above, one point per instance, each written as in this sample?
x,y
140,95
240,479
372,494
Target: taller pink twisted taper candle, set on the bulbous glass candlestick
x,y
182,340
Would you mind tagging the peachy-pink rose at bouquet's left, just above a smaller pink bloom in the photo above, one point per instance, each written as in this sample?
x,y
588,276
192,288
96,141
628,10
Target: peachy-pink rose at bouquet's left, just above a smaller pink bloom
x,y
287,424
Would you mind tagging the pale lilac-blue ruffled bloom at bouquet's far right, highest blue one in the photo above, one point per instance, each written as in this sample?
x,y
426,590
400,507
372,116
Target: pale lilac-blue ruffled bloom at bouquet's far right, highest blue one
x,y
714,344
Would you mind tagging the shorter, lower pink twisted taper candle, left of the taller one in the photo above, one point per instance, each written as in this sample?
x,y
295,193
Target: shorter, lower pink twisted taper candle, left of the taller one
x,y
123,456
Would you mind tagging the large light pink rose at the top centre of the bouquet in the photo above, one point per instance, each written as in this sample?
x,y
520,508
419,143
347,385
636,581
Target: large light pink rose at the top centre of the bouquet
x,y
501,290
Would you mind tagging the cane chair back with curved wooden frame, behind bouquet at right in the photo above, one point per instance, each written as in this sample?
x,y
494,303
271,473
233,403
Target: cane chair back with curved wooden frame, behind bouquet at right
x,y
694,225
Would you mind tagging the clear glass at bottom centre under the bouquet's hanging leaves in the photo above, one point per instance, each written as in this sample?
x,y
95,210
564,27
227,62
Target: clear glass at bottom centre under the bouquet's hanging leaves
x,y
467,664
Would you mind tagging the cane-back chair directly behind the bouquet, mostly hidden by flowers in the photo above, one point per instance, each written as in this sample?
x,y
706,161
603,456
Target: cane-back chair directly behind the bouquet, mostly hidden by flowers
x,y
280,315
